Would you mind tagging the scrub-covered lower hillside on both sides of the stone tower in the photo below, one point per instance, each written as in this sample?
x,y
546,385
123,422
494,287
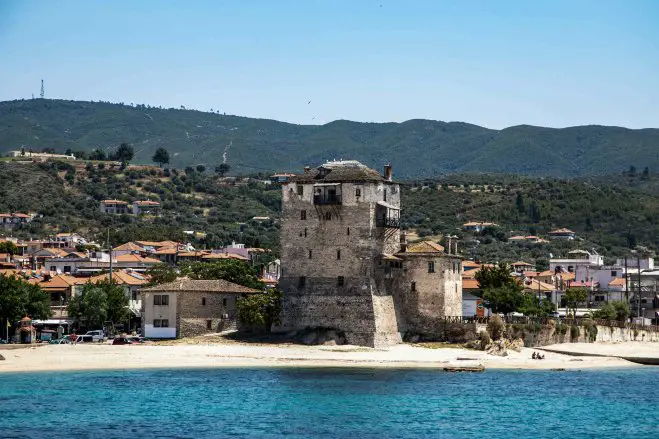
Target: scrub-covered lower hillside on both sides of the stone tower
x,y
611,217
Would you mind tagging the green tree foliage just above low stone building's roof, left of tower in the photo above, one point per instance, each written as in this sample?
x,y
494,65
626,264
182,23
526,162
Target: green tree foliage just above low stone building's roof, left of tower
x,y
231,270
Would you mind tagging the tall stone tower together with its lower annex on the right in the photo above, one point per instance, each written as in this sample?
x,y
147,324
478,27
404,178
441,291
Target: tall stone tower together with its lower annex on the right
x,y
345,264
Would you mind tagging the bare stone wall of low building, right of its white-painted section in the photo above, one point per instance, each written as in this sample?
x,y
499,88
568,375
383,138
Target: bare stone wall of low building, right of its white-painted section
x,y
193,316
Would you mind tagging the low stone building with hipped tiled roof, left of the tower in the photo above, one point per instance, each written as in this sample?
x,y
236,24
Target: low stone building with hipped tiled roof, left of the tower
x,y
188,307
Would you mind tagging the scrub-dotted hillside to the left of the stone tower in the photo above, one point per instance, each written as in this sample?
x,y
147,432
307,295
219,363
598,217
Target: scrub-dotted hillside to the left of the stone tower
x,y
67,198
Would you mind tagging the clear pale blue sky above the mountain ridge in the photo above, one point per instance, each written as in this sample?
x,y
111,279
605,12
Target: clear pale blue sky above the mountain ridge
x,y
492,63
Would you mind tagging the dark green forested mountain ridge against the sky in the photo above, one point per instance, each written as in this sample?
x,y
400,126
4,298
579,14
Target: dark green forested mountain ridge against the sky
x,y
416,148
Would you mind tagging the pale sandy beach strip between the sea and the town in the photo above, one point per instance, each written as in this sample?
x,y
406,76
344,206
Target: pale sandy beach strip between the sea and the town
x,y
217,352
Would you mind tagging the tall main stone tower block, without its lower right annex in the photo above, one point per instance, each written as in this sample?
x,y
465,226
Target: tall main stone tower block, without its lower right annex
x,y
340,221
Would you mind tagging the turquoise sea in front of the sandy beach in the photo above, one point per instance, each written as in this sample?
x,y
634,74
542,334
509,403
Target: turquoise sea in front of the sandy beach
x,y
332,402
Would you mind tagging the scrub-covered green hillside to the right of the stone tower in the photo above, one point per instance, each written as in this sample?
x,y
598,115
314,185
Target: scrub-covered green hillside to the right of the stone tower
x,y
610,217
